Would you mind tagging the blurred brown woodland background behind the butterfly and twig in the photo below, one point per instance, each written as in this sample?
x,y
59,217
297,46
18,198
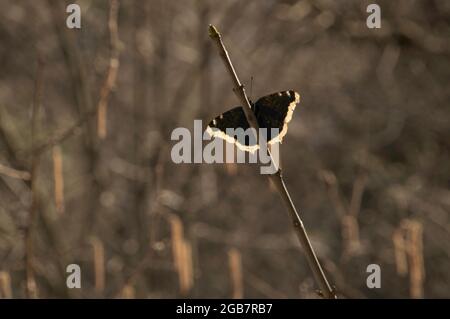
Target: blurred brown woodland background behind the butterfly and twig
x,y
85,170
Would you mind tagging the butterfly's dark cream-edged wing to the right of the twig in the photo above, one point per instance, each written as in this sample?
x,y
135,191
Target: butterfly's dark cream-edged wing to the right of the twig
x,y
275,111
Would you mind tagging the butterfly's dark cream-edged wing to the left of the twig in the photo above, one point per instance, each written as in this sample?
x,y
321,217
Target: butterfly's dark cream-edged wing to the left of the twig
x,y
233,119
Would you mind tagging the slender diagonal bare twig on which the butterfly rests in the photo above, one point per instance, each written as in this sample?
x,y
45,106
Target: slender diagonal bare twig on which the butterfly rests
x,y
276,178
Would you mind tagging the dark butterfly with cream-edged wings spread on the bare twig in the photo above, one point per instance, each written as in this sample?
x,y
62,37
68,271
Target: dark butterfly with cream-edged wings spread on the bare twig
x,y
273,111
